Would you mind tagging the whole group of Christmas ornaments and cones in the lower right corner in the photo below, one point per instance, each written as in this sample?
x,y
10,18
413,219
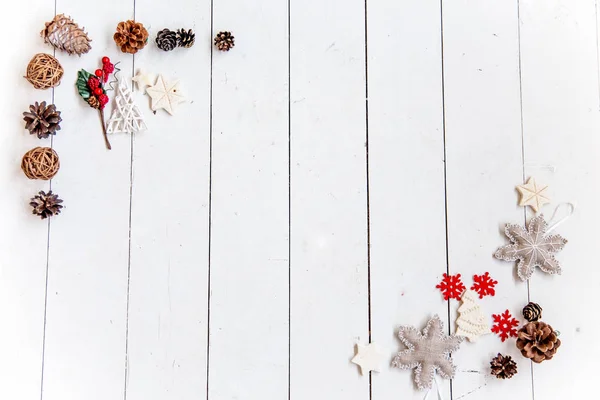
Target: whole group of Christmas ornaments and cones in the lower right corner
x,y
428,352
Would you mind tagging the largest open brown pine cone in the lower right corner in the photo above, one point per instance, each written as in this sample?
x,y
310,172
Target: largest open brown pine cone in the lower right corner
x,y
537,341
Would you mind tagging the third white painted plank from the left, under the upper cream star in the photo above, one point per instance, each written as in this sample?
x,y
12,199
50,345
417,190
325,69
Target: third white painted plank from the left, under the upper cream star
x,y
168,308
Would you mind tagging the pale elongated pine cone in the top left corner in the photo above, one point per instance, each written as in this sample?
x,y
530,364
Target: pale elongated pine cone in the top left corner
x,y
64,34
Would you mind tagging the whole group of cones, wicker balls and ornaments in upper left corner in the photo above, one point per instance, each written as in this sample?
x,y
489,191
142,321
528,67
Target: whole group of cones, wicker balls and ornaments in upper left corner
x,y
44,71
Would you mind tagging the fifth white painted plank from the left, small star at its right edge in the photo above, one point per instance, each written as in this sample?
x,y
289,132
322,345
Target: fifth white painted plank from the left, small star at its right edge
x,y
329,201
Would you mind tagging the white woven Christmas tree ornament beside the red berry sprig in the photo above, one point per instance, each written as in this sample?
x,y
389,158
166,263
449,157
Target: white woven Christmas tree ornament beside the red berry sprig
x,y
126,117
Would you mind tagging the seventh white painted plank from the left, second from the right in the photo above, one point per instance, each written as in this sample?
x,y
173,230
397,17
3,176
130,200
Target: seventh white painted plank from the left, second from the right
x,y
483,150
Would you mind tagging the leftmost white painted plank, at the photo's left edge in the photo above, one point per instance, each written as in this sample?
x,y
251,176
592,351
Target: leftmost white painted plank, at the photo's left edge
x,y
23,237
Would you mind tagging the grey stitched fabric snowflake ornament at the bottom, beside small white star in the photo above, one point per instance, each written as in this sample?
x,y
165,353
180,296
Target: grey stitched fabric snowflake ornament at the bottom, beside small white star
x,y
427,352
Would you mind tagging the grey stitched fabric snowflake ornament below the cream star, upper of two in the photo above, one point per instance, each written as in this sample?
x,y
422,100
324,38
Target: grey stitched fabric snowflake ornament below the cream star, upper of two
x,y
532,247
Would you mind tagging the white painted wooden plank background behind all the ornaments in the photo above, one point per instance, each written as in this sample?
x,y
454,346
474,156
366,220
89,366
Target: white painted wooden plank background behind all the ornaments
x,y
239,249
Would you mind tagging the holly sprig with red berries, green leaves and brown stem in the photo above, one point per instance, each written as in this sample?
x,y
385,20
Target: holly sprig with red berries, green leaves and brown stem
x,y
91,88
